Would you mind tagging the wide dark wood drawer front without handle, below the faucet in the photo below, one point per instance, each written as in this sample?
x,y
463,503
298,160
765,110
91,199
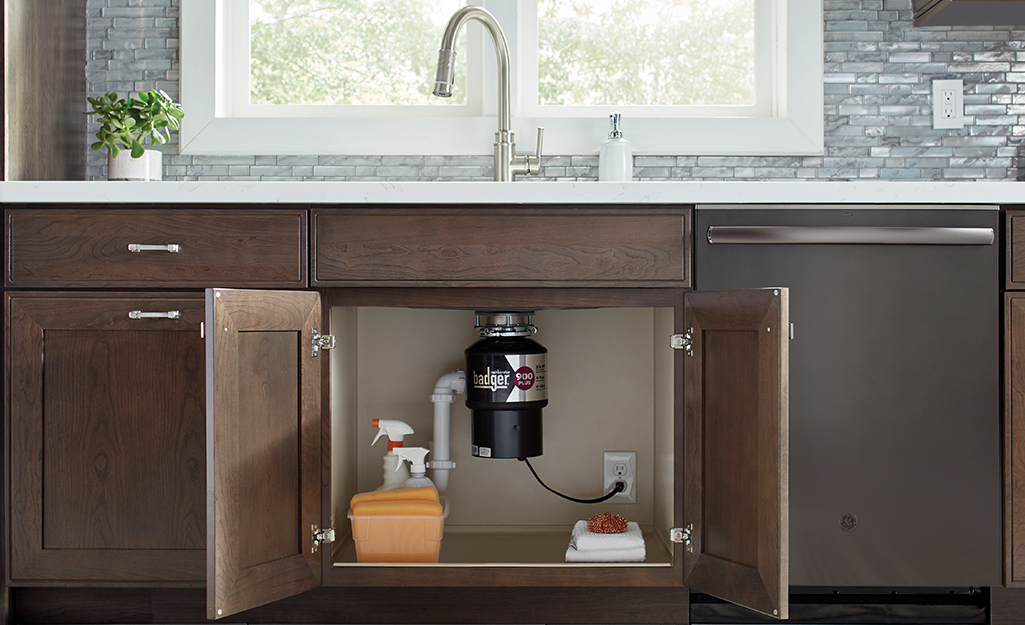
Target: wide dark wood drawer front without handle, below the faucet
x,y
493,246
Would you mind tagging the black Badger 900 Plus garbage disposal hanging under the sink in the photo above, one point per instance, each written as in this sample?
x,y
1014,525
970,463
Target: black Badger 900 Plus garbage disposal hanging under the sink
x,y
507,376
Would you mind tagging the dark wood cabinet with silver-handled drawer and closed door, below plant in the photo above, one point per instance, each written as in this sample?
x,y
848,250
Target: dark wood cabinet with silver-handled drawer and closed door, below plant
x,y
106,391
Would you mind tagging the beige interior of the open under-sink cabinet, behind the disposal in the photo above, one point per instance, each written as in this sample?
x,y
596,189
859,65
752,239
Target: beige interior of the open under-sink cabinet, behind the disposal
x,y
611,388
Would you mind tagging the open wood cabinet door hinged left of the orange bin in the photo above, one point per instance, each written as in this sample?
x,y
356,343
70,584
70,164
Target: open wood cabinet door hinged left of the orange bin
x,y
264,442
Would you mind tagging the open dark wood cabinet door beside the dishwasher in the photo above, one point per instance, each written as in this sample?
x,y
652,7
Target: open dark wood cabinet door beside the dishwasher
x,y
735,391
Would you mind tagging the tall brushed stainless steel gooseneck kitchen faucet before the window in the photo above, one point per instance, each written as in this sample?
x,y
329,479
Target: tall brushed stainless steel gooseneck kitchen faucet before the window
x,y
508,165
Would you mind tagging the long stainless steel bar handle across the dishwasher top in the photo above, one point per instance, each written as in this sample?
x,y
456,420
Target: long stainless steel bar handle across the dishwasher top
x,y
848,235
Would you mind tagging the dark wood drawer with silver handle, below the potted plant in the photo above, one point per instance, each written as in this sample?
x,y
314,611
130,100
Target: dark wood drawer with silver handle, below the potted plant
x,y
98,247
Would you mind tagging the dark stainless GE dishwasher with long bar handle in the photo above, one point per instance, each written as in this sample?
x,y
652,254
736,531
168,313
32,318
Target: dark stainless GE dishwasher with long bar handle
x,y
895,456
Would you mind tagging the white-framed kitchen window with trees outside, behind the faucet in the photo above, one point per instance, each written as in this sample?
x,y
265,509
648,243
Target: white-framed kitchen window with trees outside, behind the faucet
x,y
238,74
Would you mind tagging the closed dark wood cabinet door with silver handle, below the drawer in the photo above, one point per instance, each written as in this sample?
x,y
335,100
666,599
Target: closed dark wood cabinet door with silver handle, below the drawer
x,y
107,432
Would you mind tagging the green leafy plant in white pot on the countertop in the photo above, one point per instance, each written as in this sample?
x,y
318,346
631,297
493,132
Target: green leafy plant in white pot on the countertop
x,y
126,123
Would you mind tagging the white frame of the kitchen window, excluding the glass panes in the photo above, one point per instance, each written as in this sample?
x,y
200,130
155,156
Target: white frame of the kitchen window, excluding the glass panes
x,y
793,124
